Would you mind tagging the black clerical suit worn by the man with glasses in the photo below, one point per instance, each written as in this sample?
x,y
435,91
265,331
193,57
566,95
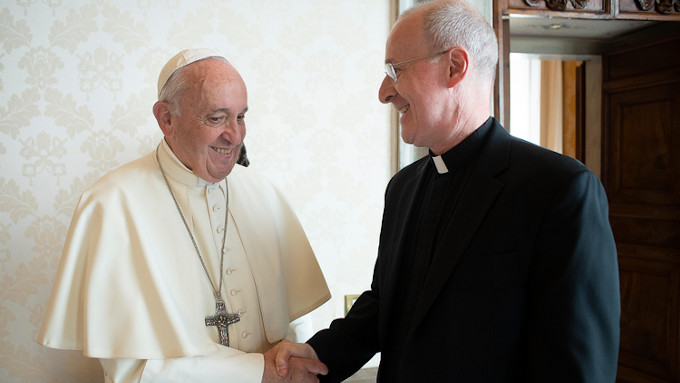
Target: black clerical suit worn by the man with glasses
x,y
504,269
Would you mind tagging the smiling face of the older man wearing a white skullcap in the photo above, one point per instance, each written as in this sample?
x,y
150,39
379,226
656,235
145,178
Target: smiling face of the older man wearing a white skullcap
x,y
208,133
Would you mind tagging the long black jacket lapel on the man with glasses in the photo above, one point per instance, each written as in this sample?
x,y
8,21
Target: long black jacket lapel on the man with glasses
x,y
475,201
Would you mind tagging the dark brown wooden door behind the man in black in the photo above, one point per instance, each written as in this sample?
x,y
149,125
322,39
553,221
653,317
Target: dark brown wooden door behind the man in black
x,y
641,173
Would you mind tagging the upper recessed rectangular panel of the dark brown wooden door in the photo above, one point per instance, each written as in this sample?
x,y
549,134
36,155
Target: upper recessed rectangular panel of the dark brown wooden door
x,y
643,130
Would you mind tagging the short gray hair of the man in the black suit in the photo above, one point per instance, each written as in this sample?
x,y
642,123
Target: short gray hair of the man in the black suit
x,y
458,23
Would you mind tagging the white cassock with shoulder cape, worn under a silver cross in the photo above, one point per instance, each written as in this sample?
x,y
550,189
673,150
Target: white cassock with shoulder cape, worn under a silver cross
x,y
131,290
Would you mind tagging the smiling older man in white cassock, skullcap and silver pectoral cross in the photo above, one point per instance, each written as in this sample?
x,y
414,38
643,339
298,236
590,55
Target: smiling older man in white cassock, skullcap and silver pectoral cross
x,y
183,266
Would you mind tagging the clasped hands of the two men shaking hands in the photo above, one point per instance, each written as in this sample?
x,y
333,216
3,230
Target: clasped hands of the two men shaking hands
x,y
292,362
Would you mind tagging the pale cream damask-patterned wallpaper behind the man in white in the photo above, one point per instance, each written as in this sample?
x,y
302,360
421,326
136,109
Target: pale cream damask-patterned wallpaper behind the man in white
x,y
77,83
